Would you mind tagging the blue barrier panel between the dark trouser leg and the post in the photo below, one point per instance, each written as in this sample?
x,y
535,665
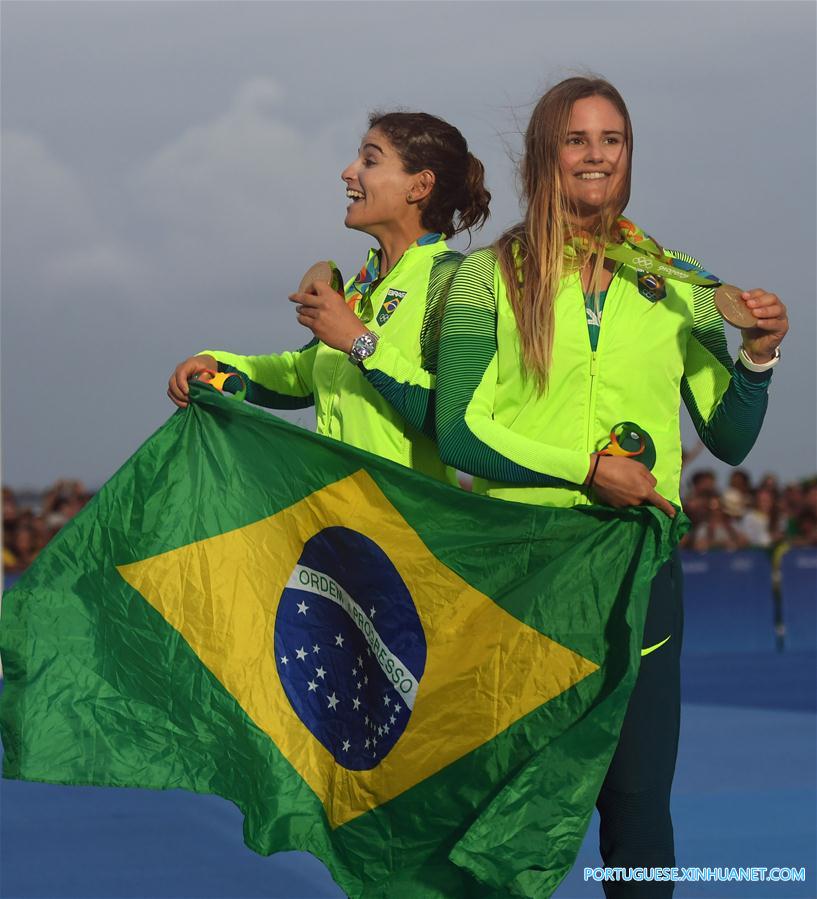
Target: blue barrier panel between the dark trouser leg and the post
x,y
728,602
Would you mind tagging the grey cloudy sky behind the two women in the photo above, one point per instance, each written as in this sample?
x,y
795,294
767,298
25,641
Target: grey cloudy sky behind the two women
x,y
170,169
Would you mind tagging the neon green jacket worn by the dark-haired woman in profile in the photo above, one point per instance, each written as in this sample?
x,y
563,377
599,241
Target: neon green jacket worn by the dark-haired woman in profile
x,y
385,405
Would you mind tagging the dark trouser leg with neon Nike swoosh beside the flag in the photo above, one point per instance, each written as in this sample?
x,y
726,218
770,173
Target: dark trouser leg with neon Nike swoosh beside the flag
x,y
634,802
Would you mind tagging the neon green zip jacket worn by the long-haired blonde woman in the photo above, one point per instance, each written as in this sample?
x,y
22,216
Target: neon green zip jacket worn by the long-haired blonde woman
x,y
522,445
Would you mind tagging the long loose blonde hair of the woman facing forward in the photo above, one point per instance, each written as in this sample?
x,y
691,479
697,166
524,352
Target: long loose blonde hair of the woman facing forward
x,y
531,254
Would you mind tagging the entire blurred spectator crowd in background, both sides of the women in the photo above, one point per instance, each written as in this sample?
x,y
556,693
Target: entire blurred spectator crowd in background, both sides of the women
x,y
742,514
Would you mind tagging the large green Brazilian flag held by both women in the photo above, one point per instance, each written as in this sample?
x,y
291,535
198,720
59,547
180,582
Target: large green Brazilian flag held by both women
x,y
421,687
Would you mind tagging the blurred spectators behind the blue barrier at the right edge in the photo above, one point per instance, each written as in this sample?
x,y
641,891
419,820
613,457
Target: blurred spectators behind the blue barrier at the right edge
x,y
766,514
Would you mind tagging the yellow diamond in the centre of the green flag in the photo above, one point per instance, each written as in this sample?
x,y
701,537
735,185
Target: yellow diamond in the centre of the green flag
x,y
483,668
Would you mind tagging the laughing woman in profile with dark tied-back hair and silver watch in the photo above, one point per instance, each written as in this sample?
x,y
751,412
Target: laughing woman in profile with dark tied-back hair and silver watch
x,y
413,184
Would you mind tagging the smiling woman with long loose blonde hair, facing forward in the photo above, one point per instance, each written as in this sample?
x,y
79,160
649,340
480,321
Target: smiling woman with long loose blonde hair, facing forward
x,y
566,350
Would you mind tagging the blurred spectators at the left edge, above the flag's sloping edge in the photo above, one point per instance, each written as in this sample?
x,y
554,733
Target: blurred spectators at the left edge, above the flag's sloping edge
x,y
27,528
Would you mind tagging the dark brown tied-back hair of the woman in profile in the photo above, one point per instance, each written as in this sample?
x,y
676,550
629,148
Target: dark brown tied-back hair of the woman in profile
x,y
424,141
